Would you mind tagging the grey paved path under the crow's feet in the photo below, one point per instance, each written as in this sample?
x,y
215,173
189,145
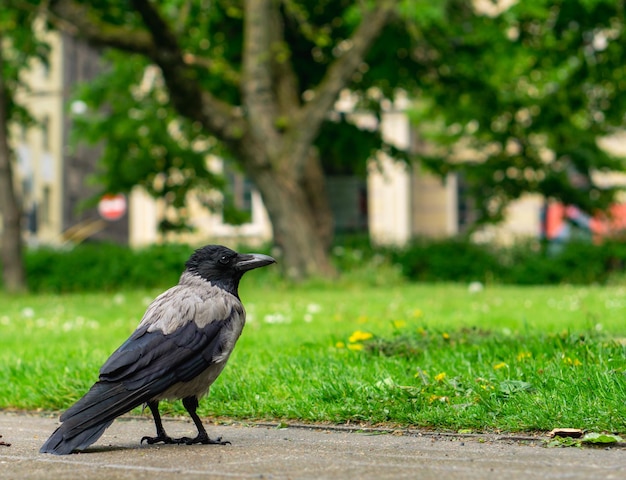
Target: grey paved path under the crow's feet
x,y
294,453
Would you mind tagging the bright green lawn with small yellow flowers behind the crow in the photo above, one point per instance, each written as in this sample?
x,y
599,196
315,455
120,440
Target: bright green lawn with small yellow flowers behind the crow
x,y
435,356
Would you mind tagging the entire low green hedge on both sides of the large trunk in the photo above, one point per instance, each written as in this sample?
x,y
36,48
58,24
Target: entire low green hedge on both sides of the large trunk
x,y
104,266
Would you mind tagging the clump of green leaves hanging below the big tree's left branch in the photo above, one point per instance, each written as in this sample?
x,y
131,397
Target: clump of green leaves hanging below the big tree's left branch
x,y
147,143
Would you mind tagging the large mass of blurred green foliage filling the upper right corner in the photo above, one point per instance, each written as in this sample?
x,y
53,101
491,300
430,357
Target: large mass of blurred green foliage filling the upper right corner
x,y
517,99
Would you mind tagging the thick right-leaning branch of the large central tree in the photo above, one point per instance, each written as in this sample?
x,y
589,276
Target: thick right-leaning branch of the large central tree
x,y
308,121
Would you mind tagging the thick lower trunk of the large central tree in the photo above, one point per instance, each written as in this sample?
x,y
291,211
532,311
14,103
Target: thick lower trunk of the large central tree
x,y
303,245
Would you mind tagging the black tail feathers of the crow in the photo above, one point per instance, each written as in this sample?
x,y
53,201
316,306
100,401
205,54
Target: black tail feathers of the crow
x,y
85,421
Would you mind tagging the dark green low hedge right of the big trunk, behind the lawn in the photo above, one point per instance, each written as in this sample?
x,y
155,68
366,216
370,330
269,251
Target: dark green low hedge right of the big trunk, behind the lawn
x,y
525,263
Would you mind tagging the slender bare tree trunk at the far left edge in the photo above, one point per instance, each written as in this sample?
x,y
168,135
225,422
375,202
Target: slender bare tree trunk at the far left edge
x,y
11,239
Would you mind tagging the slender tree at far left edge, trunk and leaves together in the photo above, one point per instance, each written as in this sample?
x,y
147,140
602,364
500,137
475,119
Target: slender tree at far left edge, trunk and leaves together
x,y
17,46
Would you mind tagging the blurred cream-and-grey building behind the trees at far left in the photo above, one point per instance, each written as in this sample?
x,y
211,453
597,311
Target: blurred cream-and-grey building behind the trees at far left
x,y
53,181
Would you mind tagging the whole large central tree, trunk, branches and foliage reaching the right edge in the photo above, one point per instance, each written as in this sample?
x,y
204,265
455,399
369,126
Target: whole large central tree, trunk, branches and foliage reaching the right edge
x,y
527,89
